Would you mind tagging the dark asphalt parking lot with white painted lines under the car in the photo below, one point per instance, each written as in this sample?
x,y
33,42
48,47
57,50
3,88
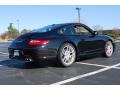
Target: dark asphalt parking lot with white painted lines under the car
x,y
90,71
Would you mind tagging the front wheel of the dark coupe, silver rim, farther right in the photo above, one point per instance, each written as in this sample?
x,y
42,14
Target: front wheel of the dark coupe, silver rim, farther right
x,y
108,49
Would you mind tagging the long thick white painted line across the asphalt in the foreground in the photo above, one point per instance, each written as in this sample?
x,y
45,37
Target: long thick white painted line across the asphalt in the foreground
x,y
85,75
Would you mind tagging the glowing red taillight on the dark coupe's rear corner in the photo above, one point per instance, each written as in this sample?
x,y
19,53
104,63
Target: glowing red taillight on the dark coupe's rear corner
x,y
38,42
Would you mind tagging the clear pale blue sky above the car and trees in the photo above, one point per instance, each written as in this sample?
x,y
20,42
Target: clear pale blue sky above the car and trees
x,y
33,17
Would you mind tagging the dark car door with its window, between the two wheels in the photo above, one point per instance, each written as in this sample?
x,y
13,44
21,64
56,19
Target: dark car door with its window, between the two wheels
x,y
88,41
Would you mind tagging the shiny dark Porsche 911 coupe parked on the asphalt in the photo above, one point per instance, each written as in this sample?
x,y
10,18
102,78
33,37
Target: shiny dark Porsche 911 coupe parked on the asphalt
x,y
65,42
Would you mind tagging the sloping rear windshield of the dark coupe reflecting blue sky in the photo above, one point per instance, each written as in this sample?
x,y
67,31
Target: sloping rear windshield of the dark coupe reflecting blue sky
x,y
46,28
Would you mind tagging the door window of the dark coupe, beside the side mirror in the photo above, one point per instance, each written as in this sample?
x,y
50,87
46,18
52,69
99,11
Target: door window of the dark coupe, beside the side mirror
x,y
79,30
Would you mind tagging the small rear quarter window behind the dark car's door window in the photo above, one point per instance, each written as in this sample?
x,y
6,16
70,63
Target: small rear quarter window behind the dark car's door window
x,y
67,30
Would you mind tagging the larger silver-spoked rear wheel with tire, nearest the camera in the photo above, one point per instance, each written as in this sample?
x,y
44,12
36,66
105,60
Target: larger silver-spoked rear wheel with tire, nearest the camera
x,y
66,55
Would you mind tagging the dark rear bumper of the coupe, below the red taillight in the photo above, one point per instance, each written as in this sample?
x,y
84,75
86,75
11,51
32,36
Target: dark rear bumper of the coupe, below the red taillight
x,y
32,53
